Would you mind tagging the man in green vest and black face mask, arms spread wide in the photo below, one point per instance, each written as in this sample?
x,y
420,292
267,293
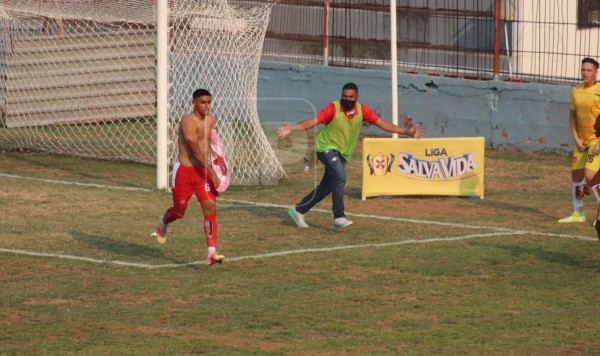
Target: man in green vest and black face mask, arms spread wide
x,y
342,122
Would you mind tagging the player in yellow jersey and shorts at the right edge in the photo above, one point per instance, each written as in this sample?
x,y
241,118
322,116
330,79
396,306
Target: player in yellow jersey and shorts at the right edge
x,y
585,107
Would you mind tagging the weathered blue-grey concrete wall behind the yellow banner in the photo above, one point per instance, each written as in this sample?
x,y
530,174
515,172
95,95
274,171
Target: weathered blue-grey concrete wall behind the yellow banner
x,y
512,116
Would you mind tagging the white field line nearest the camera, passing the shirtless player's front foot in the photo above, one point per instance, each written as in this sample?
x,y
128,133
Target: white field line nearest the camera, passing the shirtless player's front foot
x,y
259,256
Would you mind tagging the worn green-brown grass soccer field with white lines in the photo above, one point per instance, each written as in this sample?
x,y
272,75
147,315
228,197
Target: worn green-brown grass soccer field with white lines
x,y
80,273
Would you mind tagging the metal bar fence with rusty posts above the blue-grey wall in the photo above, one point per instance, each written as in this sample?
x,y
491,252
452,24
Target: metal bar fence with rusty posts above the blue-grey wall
x,y
541,41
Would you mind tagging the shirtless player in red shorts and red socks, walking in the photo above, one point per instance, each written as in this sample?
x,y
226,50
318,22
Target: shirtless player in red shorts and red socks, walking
x,y
193,173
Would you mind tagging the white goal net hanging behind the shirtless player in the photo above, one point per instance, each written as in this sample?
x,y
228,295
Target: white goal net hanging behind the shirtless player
x,y
78,77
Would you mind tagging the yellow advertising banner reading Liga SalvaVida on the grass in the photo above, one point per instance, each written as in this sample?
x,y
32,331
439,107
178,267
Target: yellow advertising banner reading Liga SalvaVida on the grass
x,y
427,166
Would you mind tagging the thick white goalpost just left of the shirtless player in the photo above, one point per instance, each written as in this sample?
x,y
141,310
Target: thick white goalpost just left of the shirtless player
x,y
162,113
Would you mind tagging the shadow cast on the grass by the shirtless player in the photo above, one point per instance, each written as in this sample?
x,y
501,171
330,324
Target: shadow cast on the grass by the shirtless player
x,y
123,248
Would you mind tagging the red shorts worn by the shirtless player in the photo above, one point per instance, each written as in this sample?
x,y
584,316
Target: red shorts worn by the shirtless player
x,y
188,180
